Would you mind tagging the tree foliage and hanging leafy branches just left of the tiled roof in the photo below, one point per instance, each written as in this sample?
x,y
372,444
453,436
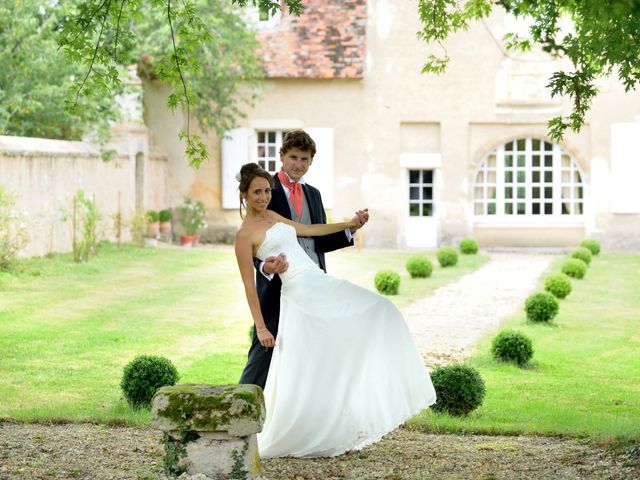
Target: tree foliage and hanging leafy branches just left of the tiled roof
x,y
202,48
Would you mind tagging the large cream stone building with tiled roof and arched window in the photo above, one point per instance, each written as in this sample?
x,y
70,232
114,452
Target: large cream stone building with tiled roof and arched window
x,y
434,158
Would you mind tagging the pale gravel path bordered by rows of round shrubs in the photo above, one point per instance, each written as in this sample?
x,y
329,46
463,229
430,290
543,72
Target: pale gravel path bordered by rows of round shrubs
x,y
447,325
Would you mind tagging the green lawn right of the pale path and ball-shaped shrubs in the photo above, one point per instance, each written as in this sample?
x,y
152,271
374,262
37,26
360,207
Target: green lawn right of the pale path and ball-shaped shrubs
x,y
584,379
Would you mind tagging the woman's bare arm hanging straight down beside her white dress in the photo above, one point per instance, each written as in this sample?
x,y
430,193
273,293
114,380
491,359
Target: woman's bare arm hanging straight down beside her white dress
x,y
244,256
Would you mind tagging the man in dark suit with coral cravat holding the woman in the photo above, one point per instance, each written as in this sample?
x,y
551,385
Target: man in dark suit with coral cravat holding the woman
x,y
292,198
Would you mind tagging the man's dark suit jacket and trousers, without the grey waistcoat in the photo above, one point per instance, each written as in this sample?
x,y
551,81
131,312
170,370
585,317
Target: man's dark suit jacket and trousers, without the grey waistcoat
x,y
259,358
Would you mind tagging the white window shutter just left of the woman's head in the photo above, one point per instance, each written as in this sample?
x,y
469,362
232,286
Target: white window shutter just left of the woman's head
x,y
235,153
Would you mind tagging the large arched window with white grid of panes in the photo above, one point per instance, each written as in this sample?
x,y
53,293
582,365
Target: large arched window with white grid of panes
x,y
528,177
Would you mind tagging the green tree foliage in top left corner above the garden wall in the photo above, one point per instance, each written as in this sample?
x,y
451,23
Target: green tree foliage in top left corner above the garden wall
x,y
35,78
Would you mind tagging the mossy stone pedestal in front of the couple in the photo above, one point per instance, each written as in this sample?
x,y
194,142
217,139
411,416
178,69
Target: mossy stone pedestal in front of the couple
x,y
210,430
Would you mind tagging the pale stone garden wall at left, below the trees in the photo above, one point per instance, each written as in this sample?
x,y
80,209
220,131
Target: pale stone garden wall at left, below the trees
x,y
43,175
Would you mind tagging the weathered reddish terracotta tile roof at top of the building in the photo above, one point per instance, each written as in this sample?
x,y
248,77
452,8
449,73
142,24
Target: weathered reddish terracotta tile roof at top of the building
x,y
326,41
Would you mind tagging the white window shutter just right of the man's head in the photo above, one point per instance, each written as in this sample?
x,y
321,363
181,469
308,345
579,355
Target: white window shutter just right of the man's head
x,y
320,174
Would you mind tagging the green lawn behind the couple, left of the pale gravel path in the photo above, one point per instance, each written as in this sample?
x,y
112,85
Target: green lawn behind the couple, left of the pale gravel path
x,y
66,330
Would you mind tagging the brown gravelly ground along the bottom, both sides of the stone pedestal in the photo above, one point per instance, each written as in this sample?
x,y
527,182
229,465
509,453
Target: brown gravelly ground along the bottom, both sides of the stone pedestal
x,y
86,451
